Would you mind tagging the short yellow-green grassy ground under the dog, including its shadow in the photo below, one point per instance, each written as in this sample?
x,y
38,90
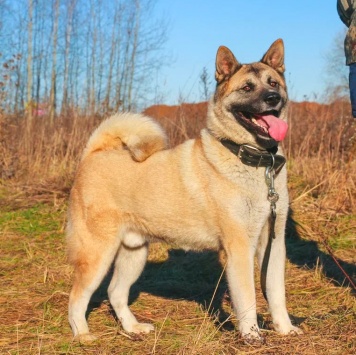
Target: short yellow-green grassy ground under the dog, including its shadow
x,y
183,294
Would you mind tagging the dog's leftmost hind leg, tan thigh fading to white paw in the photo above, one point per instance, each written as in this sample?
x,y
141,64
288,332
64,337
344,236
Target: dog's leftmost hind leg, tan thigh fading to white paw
x,y
91,264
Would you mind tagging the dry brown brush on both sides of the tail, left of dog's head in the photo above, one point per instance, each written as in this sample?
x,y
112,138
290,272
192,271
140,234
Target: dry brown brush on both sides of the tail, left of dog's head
x,y
41,153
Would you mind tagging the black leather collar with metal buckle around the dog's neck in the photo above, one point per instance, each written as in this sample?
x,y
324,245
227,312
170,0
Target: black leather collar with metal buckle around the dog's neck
x,y
252,156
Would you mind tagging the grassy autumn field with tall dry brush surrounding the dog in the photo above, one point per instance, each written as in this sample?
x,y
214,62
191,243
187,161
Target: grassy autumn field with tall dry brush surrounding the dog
x,y
183,294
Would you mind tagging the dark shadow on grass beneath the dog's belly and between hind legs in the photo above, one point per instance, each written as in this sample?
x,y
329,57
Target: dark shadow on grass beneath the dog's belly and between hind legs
x,y
191,276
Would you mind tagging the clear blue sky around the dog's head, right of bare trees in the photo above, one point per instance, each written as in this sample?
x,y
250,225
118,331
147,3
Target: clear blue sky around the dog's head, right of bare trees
x,y
198,27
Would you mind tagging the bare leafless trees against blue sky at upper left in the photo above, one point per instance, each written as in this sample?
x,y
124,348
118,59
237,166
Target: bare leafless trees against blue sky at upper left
x,y
88,55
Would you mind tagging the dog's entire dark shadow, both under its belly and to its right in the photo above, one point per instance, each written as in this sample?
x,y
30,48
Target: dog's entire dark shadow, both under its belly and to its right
x,y
193,276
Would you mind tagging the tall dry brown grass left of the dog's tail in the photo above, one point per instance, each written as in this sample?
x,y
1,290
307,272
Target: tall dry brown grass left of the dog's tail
x,y
39,158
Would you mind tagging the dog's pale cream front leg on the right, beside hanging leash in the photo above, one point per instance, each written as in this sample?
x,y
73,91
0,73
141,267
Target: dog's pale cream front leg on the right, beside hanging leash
x,y
271,255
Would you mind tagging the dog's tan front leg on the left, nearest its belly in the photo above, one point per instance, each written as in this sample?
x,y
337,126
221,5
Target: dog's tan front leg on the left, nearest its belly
x,y
240,277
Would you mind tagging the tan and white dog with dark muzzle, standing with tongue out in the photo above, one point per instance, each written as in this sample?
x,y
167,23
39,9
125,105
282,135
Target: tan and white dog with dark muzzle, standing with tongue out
x,y
218,191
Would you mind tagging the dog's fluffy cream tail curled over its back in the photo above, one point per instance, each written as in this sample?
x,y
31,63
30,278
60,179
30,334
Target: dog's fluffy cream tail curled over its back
x,y
137,133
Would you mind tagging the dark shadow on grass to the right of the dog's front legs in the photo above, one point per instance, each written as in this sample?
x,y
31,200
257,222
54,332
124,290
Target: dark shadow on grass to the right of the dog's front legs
x,y
306,253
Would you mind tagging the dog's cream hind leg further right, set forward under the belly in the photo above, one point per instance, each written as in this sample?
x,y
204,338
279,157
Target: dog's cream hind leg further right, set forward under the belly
x,y
129,264
